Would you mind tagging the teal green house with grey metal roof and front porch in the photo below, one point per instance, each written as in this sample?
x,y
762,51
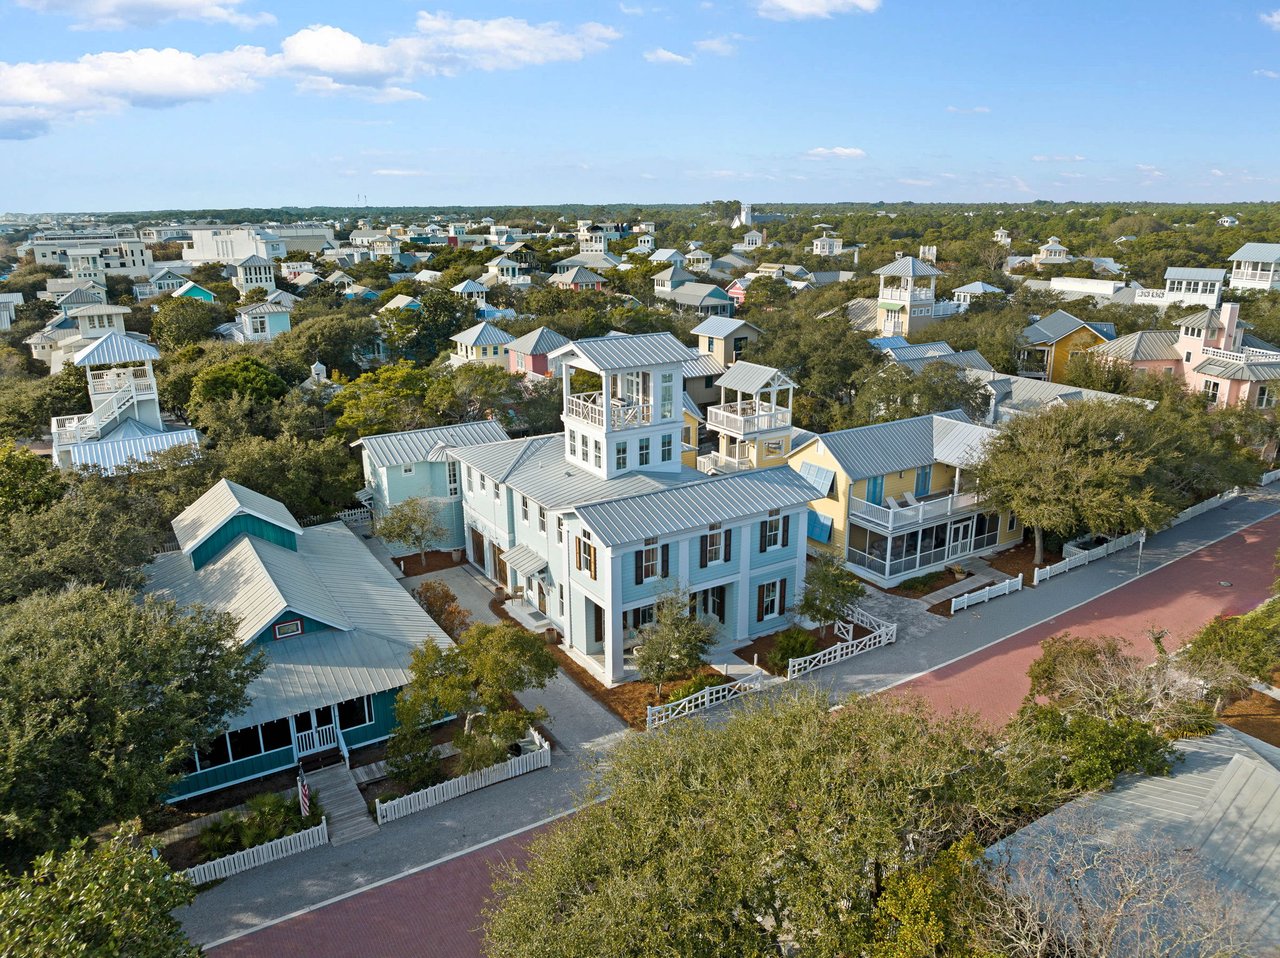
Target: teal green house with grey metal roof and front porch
x,y
336,628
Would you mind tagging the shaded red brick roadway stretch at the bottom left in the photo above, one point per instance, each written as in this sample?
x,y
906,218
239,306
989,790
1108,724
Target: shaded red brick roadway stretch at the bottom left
x,y
431,914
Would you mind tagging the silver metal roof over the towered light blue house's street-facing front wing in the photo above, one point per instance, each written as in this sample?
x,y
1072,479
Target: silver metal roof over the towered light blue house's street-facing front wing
x,y
716,499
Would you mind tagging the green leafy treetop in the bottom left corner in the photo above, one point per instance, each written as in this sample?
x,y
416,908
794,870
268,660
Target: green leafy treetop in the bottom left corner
x,y
111,901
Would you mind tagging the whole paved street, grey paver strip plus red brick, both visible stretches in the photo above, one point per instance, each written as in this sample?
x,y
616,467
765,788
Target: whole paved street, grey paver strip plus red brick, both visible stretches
x,y
1181,596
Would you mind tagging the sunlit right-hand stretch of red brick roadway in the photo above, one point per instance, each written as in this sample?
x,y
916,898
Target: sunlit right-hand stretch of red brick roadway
x,y
1180,597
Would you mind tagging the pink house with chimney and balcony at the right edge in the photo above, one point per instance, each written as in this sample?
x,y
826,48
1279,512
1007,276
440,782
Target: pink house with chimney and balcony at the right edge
x,y
1212,353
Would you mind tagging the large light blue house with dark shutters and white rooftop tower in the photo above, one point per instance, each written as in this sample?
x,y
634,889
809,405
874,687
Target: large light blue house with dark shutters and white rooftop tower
x,y
592,526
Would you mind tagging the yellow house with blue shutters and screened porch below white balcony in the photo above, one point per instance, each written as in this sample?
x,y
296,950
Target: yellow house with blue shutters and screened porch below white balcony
x,y
897,500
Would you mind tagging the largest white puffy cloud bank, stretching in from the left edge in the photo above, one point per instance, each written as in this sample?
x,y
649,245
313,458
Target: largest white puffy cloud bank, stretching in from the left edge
x,y
323,60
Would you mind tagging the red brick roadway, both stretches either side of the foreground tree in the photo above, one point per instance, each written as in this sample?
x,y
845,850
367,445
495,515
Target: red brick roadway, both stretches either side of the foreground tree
x,y
436,913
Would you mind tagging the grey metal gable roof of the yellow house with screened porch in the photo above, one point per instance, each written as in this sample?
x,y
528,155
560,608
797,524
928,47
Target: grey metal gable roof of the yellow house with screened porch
x,y
907,444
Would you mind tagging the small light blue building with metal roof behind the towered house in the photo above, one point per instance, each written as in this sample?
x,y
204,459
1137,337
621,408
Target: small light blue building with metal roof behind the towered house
x,y
415,464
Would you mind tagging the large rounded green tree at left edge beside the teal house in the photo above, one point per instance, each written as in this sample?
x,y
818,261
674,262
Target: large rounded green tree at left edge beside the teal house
x,y
104,697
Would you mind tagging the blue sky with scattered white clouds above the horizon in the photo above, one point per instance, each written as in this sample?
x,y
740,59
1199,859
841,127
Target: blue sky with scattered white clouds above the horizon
x,y
147,104
